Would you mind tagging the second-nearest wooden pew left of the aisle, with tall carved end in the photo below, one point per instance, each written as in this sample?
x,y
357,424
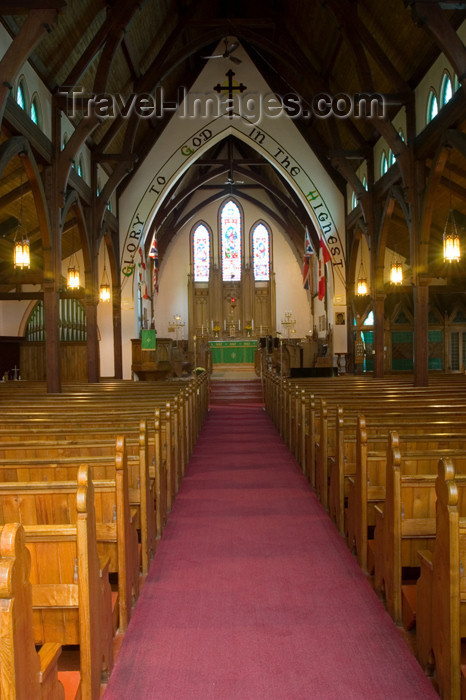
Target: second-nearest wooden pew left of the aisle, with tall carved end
x,y
71,593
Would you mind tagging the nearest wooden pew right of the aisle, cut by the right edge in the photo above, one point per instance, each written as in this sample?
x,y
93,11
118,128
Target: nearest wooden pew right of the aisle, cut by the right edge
x,y
441,589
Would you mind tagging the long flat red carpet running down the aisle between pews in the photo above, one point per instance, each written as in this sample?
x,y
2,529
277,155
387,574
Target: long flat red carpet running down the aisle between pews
x,y
252,594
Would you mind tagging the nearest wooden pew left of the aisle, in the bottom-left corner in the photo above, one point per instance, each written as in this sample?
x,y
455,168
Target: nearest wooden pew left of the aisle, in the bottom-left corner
x,y
24,673
